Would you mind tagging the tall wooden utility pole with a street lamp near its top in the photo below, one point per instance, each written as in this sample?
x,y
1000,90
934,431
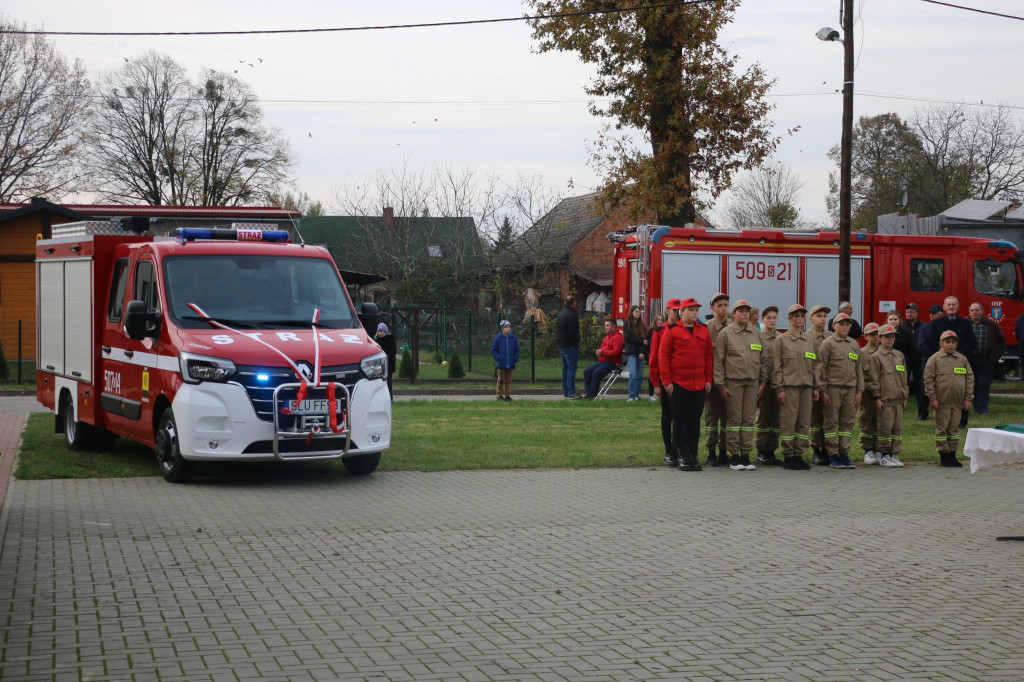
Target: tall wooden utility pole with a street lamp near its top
x,y
846,146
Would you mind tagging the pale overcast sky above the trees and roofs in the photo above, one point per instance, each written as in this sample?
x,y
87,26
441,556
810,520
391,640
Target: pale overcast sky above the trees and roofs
x,y
477,96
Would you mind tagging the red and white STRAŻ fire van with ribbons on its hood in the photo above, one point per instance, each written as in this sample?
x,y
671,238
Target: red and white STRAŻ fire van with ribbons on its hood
x,y
216,345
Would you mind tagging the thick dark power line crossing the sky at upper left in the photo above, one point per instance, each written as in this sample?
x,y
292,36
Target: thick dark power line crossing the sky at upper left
x,y
433,25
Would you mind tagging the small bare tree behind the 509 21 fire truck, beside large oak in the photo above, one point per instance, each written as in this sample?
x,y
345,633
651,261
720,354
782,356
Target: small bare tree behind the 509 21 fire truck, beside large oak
x,y
767,197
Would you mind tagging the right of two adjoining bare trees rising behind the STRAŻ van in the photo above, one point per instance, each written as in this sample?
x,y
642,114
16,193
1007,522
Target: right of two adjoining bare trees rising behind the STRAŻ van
x,y
239,158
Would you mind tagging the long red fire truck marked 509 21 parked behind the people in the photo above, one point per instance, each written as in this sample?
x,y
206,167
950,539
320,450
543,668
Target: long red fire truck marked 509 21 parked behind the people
x,y
654,264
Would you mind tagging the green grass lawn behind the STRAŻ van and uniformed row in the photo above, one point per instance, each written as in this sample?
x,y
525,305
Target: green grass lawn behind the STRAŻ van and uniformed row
x,y
435,436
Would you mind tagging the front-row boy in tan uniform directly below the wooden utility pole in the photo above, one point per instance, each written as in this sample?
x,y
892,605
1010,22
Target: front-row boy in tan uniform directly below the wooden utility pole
x,y
843,388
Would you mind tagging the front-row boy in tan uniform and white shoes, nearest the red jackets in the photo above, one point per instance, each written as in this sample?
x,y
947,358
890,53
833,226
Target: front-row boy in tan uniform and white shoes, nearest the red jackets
x,y
742,368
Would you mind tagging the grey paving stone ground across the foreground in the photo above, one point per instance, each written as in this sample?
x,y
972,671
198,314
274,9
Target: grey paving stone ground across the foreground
x,y
583,575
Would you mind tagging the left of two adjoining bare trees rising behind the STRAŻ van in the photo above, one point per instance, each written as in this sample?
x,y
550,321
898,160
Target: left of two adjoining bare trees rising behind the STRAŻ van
x,y
144,132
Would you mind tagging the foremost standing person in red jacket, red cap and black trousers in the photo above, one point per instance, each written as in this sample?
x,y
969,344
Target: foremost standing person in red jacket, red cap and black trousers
x,y
687,373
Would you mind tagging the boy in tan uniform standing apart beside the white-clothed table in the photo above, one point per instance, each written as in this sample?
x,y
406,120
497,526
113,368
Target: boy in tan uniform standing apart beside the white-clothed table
x,y
950,387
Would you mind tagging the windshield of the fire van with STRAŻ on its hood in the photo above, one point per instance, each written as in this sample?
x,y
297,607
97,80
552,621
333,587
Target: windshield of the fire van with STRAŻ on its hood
x,y
257,292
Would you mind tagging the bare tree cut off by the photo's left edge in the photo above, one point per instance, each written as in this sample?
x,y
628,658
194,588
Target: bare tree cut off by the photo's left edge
x,y
42,103
